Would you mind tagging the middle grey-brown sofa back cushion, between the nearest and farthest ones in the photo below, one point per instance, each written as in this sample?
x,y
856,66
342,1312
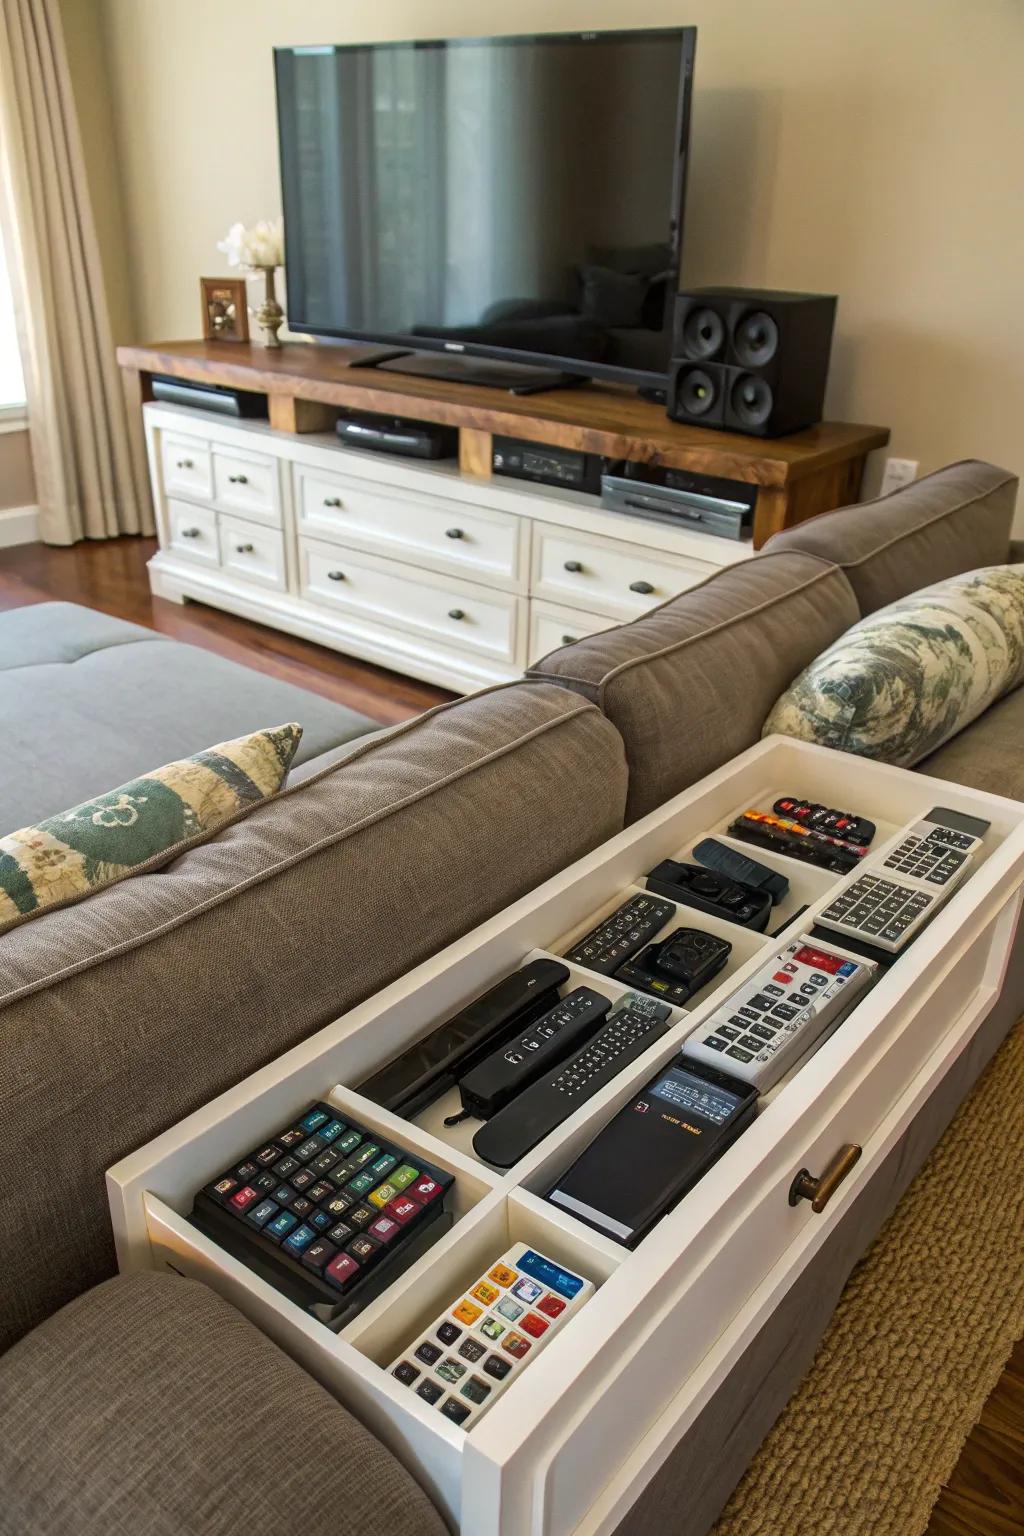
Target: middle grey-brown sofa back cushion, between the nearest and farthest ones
x,y
690,684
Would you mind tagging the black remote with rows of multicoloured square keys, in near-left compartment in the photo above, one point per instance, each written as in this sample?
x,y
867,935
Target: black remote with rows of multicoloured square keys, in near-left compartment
x,y
328,1211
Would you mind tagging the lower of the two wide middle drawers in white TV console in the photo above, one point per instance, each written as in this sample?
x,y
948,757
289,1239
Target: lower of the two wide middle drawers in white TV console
x,y
472,618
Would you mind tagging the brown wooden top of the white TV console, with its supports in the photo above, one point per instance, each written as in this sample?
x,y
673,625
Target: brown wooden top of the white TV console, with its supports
x,y
798,477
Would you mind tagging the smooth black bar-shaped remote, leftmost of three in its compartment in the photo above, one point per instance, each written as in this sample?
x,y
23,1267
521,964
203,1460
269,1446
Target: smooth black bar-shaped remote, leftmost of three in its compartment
x,y
429,1068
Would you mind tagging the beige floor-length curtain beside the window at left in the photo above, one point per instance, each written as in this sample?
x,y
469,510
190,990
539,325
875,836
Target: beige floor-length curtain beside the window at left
x,y
90,468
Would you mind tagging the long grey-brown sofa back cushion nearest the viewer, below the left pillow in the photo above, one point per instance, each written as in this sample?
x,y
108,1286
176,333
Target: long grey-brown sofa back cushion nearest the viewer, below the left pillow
x,y
137,1007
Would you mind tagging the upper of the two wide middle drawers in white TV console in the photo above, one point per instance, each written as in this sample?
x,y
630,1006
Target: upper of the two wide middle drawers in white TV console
x,y
461,538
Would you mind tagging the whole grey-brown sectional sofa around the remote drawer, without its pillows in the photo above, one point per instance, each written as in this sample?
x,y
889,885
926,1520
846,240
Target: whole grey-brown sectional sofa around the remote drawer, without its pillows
x,y
121,1399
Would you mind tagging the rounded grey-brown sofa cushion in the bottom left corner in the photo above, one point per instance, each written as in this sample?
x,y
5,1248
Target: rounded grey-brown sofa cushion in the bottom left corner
x,y
151,1408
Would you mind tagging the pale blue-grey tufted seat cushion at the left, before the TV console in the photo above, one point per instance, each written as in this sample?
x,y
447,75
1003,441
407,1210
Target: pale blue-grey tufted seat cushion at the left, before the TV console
x,y
88,703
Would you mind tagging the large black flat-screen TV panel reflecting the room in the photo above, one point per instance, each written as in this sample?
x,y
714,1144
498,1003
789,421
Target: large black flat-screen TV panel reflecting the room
x,y
515,197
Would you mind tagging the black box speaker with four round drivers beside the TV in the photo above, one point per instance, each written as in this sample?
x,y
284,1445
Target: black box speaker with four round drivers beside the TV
x,y
751,360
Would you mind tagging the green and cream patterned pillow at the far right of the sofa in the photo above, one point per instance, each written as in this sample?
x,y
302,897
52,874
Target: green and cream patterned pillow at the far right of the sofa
x,y
913,675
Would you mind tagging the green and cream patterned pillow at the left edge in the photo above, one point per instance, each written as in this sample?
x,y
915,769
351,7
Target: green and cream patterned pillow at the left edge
x,y
142,824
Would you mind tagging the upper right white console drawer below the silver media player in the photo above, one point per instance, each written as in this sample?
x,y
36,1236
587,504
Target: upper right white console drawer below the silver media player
x,y
606,575
